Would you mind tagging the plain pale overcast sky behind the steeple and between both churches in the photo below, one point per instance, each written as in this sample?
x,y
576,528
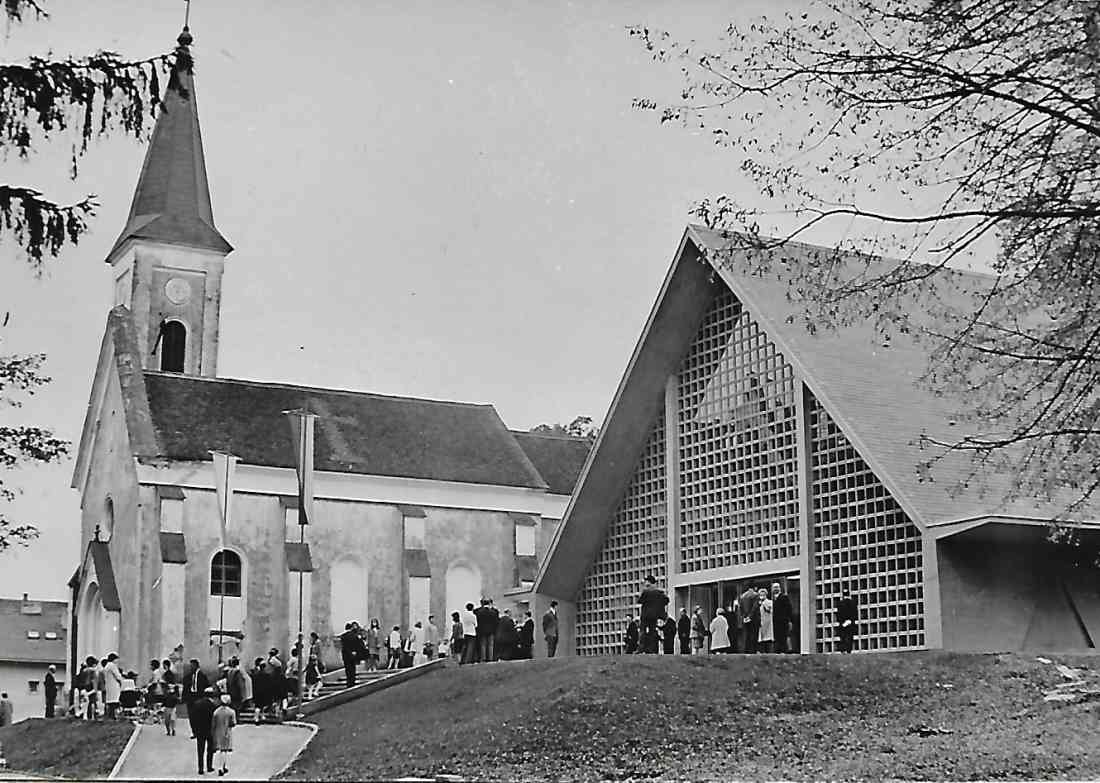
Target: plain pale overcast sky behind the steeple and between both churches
x,y
439,200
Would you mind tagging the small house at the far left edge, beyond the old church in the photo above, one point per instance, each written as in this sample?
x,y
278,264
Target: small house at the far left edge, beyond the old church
x,y
32,637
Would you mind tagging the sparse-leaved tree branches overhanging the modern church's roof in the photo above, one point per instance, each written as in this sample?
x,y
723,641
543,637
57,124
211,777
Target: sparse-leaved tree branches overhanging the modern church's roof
x,y
929,135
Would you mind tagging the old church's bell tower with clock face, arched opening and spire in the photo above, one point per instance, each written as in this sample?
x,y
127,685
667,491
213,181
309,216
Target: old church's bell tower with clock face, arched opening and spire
x,y
170,258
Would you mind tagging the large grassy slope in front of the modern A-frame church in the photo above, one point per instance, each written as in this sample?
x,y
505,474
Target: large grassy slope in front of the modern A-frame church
x,y
761,718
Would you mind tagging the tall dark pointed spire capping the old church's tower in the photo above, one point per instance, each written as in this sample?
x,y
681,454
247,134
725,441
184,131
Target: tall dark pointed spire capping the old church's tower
x,y
172,201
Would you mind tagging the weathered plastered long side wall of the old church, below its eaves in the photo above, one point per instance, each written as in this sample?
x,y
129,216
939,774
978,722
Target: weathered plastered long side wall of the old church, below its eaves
x,y
370,535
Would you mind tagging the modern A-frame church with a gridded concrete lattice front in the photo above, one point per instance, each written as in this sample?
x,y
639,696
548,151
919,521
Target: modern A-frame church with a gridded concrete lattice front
x,y
742,449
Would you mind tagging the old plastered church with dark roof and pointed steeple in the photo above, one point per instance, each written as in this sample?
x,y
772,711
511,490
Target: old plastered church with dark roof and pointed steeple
x,y
421,505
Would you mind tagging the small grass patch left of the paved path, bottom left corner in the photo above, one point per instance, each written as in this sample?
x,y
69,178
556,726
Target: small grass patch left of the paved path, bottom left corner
x,y
64,748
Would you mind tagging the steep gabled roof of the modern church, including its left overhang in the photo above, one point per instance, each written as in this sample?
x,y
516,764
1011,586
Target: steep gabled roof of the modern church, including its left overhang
x,y
871,391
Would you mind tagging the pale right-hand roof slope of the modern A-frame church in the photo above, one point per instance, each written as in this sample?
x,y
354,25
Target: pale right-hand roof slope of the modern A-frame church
x,y
876,395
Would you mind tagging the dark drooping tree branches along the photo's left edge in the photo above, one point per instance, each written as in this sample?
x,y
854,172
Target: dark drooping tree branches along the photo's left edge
x,y
41,102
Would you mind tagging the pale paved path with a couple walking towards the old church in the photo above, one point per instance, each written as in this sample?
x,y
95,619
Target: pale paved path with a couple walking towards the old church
x,y
260,752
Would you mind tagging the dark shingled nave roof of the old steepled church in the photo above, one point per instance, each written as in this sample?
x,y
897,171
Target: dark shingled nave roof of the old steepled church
x,y
356,433
